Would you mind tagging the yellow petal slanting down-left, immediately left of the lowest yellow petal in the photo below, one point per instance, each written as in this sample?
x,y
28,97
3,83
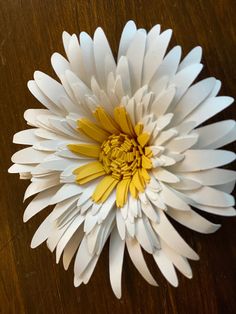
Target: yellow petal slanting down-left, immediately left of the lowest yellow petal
x,y
104,189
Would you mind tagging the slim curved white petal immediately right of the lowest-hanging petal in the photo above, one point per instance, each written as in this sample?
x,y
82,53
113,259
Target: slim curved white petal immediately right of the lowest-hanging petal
x,y
137,258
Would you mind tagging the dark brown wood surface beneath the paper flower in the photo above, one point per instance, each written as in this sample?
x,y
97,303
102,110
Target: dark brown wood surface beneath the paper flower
x,y
30,280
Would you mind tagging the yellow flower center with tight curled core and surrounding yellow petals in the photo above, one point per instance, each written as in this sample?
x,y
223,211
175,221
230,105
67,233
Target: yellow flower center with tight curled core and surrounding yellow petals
x,y
122,155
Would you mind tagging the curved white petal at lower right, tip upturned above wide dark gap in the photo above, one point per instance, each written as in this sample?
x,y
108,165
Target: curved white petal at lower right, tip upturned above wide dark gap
x,y
193,221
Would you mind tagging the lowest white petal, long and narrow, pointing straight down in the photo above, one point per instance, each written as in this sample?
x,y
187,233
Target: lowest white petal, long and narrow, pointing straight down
x,y
116,255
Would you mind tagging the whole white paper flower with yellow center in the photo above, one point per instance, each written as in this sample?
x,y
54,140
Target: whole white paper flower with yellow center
x,y
119,148
